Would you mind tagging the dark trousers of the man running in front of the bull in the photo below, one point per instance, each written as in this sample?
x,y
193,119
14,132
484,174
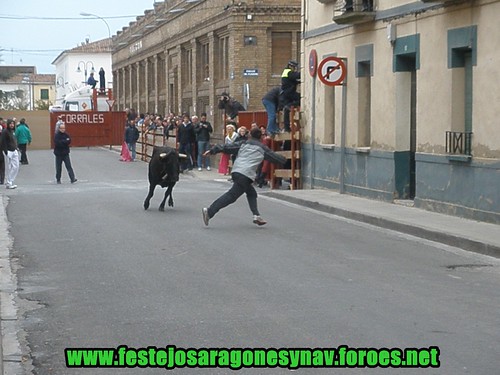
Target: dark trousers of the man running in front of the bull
x,y
241,184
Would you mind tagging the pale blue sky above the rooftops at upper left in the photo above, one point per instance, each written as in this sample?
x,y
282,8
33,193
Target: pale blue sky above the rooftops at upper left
x,y
35,32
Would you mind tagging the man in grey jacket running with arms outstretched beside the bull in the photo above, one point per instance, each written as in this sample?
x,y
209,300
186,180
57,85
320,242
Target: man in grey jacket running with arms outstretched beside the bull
x,y
250,154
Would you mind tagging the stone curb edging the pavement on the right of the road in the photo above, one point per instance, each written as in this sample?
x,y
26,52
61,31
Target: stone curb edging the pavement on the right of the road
x,y
437,236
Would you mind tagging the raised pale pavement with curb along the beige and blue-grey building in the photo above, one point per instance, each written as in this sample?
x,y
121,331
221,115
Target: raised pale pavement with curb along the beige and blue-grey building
x,y
466,234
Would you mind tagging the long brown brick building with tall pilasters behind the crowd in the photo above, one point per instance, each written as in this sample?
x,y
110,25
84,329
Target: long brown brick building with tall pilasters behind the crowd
x,y
181,55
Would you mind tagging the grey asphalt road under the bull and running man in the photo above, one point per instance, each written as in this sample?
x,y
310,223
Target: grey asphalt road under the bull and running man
x,y
94,269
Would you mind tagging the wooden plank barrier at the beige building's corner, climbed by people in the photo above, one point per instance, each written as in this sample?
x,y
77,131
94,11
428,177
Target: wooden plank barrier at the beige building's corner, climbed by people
x,y
288,145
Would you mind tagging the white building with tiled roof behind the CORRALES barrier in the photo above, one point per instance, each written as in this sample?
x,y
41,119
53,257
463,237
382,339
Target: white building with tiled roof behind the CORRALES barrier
x,y
73,67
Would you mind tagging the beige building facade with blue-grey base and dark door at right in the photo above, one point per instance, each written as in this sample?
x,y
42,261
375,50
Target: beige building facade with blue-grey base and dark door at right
x,y
419,102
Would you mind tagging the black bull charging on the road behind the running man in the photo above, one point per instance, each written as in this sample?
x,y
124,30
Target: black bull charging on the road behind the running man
x,y
163,171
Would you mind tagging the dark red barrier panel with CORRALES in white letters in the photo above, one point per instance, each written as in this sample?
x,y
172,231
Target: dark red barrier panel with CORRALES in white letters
x,y
91,128
